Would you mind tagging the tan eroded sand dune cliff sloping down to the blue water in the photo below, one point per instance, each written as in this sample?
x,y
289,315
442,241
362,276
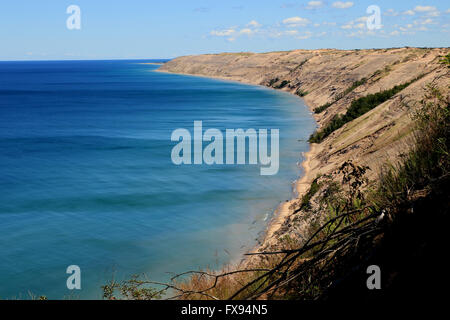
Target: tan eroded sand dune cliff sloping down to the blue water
x,y
330,76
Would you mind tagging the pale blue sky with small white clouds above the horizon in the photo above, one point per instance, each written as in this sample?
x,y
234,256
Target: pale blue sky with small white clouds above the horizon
x,y
133,29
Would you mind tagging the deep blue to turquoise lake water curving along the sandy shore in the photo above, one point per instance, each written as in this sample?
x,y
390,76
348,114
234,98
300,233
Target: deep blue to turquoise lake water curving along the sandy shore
x,y
86,175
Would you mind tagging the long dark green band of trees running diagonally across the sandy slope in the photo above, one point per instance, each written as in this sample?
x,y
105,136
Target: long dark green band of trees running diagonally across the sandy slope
x,y
357,108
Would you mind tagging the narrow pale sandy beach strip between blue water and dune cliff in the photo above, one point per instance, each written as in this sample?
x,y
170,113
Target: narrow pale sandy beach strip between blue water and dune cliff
x,y
300,185
